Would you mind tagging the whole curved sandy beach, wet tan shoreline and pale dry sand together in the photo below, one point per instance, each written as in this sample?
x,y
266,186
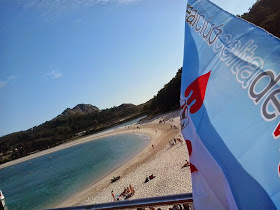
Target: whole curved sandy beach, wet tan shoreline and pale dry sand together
x,y
163,161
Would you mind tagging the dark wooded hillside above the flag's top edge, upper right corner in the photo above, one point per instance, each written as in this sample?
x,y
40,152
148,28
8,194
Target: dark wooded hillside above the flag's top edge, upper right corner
x,y
265,14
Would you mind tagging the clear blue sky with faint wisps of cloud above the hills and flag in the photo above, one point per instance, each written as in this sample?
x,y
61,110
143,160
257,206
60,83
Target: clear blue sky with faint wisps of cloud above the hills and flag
x,y
55,54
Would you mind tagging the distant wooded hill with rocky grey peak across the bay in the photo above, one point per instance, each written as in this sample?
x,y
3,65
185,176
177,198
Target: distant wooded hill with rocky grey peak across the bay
x,y
72,123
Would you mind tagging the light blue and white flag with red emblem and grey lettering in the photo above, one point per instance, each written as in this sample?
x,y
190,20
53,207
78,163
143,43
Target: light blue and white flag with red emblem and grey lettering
x,y
230,107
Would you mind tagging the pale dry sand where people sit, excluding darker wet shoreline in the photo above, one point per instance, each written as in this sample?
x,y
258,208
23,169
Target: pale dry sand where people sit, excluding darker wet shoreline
x,y
165,165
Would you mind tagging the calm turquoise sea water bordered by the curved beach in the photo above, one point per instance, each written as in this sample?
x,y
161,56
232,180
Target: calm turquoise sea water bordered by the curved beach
x,y
48,180
